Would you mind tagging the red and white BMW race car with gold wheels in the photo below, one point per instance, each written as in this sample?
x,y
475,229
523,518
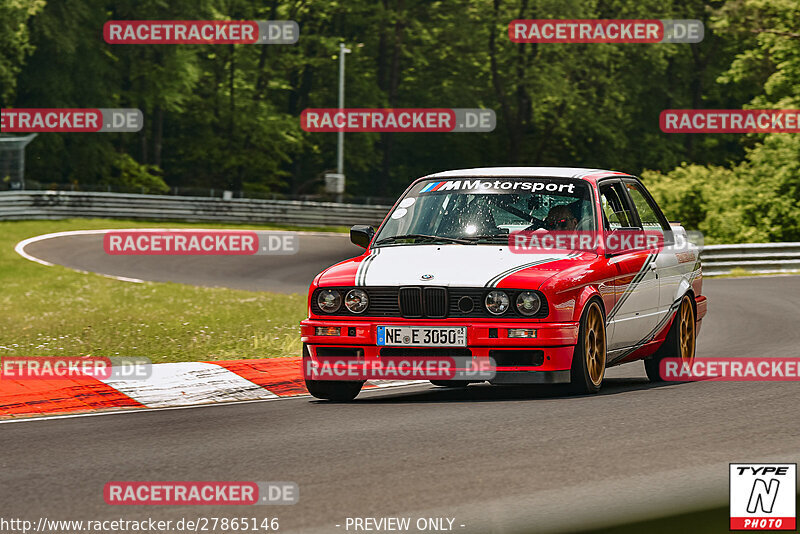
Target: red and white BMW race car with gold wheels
x,y
480,264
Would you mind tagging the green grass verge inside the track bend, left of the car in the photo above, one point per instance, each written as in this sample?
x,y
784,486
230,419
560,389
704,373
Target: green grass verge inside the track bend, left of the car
x,y
54,311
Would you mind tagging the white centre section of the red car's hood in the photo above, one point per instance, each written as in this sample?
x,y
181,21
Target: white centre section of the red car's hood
x,y
450,265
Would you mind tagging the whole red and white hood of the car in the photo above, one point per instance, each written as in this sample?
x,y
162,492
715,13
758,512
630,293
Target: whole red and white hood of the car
x,y
448,265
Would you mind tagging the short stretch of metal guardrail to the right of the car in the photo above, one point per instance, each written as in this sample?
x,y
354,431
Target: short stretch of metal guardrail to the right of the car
x,y
751,257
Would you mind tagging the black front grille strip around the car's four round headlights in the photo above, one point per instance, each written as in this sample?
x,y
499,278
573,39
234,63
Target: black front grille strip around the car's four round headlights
x,y
432,302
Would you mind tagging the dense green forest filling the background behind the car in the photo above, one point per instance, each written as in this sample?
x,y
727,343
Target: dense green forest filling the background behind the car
x,y
227,117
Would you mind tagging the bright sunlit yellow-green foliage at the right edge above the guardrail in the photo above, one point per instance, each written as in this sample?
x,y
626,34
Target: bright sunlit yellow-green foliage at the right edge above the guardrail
x,y
756,199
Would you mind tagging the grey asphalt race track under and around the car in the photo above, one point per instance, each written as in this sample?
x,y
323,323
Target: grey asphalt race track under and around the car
x,y
495,459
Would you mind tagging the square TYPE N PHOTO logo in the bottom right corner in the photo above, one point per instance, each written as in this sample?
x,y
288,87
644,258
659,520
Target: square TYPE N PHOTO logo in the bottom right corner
x,y
762,496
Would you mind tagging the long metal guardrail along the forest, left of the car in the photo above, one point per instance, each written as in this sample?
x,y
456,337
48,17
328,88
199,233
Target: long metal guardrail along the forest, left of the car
x,y
20,205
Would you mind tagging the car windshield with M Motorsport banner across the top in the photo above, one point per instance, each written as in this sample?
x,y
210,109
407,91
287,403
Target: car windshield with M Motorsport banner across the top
x,y
484,210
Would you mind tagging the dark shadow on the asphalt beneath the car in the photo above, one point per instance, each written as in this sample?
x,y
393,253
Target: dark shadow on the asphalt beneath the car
x,y
491,393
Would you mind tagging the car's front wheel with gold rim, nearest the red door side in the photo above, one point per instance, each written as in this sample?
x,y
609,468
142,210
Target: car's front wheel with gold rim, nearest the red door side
x,y
589,358
